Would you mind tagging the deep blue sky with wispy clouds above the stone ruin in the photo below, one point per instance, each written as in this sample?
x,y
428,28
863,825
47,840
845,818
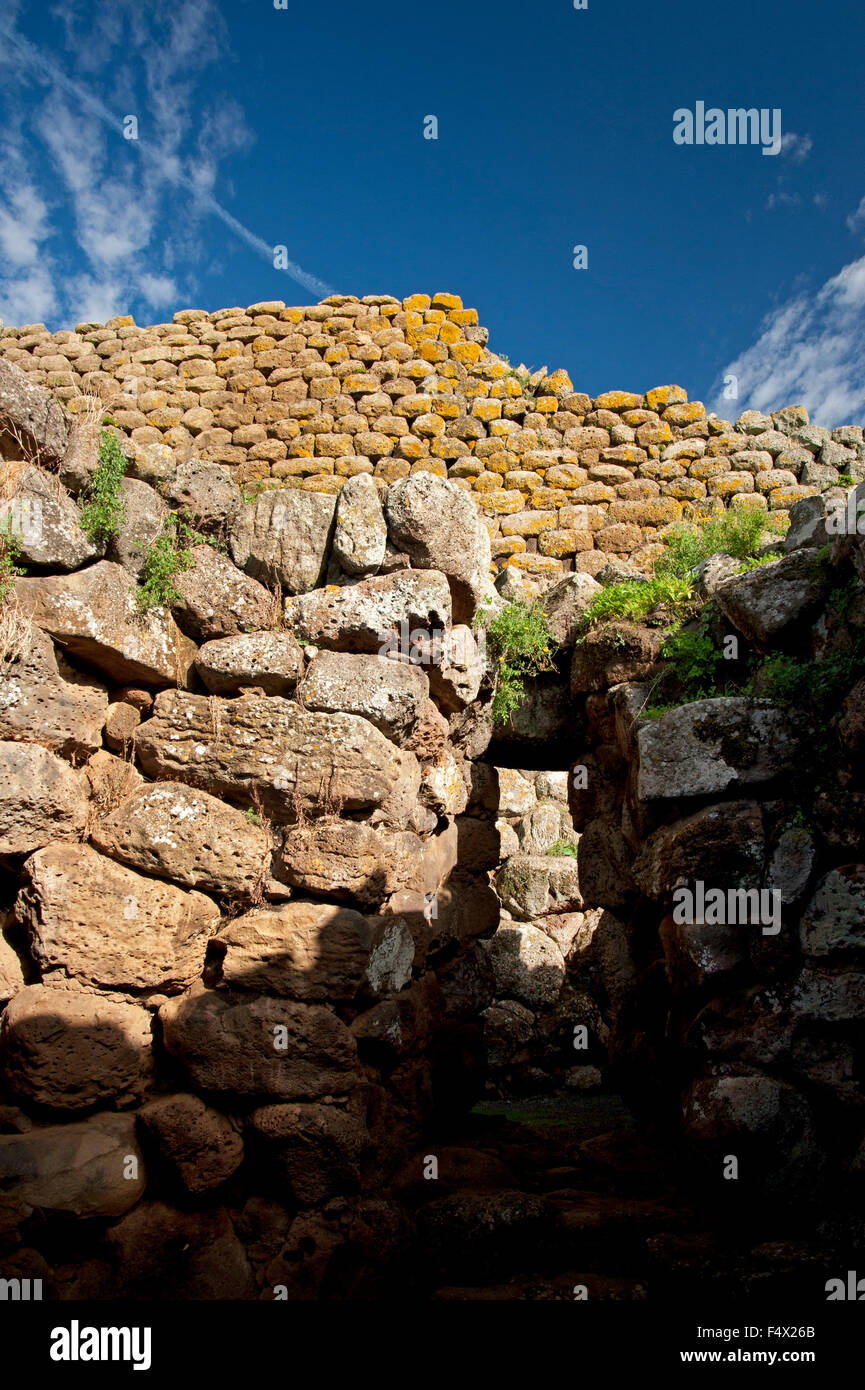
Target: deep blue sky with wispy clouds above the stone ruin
x,y
304,127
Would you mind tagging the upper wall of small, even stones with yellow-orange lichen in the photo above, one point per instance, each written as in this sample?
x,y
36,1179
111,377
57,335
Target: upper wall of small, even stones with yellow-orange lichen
x,y
309,397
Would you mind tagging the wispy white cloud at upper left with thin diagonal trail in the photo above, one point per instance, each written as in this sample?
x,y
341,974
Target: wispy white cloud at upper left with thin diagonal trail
x,y
120,195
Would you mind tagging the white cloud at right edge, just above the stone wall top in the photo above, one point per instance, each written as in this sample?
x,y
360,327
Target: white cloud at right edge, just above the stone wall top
x,y
811,350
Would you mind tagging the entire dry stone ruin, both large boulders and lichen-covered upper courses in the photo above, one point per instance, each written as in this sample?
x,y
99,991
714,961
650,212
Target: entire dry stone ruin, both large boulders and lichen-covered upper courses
x,y
280,904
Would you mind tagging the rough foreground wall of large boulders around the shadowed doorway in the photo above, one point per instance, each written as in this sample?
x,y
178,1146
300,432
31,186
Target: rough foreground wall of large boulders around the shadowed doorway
x,y
269,913
